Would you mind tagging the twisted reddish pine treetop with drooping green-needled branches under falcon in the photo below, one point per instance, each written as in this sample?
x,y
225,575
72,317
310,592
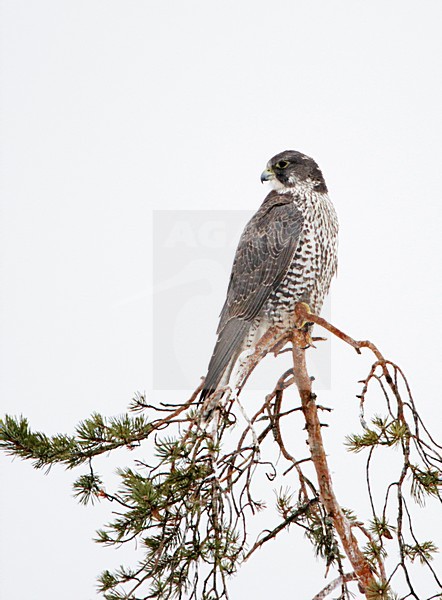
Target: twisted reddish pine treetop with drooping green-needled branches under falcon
x,y
190,510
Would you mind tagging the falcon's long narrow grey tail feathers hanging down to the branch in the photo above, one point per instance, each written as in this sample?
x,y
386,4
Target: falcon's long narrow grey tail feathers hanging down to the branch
x,y
227,349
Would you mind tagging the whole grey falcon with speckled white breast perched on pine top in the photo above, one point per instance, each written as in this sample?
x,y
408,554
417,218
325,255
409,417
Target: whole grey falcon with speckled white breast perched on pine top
x,y
287,254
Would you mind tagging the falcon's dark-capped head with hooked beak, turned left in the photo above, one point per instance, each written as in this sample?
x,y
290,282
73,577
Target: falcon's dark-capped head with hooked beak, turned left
x,y
291,169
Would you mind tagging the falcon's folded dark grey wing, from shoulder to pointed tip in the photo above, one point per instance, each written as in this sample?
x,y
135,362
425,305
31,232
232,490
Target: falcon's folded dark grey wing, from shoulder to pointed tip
x,y
263,257
